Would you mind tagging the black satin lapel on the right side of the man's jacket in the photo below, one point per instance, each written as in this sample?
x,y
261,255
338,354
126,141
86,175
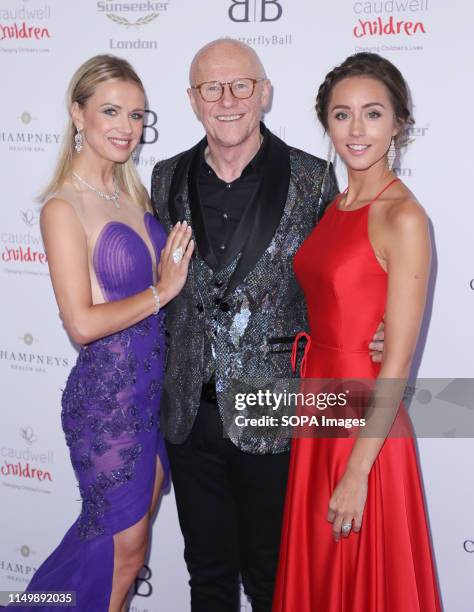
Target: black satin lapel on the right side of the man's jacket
x,y
267,206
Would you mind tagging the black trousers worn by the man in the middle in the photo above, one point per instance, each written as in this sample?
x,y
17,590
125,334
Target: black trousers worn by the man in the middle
x,y
230,509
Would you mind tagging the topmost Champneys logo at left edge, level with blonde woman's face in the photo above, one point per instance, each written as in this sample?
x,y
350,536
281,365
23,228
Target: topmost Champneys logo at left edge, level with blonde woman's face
x,y
27,137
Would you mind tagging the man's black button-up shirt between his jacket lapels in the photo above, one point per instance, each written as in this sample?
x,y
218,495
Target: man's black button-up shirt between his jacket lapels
x,y
223,204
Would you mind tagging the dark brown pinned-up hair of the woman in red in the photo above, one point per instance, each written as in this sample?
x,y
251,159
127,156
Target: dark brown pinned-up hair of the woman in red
x,y
375,67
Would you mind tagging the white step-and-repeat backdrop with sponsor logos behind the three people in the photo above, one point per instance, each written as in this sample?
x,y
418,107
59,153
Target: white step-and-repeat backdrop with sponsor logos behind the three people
x,y
41,44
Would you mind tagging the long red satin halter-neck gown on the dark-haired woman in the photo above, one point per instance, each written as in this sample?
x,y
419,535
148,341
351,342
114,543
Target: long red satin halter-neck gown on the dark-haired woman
x,y
387,566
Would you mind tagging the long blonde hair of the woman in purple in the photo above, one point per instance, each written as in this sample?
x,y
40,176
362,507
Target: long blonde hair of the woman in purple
x,y
84,82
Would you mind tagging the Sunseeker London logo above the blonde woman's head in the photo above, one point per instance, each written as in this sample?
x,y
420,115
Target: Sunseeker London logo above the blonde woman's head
x,y
133,17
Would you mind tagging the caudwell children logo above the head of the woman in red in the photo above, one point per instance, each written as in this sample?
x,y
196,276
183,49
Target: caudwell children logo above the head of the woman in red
x,y
389,19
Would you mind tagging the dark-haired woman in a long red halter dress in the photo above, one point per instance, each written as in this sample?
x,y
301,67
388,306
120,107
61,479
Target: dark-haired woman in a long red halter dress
x,y
355,533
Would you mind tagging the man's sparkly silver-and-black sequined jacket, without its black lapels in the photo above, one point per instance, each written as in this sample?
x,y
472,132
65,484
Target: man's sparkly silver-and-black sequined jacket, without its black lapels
x,y
248,327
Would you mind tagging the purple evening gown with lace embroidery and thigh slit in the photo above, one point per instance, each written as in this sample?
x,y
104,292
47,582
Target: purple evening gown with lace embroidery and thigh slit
x,y
110,415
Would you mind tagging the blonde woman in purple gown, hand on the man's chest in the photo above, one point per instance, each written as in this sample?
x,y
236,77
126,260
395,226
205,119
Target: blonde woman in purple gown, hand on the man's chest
x,y
112,269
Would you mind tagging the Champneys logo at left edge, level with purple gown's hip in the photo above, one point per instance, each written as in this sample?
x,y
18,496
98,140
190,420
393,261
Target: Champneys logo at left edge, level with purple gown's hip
x,y
23,356
